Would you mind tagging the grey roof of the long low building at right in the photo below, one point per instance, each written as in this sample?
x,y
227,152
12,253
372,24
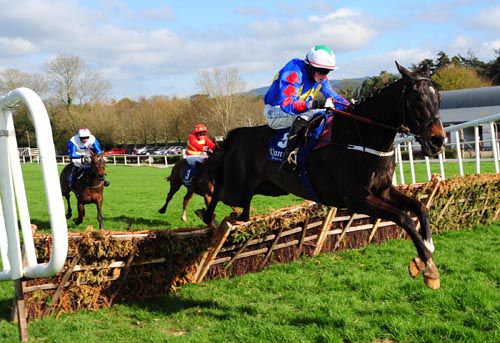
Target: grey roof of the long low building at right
x,y
472,97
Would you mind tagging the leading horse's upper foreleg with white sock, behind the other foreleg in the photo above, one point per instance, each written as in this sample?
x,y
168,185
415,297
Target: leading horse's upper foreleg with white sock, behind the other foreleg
x,y
404,202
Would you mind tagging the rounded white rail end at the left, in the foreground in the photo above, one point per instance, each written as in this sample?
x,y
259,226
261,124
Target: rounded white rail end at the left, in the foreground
x,y
13,195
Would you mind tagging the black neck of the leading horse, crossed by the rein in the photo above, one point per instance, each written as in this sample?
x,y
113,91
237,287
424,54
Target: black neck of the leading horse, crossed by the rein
x,y
381,107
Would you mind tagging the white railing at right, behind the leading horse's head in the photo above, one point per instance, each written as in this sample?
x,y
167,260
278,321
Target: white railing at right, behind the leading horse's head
x,y
454,130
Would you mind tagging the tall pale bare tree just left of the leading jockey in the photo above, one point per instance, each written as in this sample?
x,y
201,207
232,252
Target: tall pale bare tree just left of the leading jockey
x,y
222,102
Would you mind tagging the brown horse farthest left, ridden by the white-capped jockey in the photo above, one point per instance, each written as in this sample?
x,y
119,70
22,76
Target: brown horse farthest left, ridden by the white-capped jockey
x,y
88,188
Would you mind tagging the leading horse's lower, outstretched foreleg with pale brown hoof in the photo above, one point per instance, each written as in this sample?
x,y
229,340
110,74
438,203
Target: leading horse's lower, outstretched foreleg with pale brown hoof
x,y
379,208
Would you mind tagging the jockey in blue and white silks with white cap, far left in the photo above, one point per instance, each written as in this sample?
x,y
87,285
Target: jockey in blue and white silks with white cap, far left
x,y
79,148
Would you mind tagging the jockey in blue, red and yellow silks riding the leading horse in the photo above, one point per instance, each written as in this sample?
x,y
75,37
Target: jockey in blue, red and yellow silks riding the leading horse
x,y
290,101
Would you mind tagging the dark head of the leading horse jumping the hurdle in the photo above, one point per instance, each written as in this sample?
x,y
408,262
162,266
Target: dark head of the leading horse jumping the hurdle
x,y
420,109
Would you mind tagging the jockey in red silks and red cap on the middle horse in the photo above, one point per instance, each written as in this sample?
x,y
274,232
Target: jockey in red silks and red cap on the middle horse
x,y
197,146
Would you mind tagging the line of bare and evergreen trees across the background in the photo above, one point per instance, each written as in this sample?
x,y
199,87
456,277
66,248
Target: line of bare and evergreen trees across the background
x,y
75,96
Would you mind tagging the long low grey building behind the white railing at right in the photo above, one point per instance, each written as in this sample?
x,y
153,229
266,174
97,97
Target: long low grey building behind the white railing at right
x,y
459,106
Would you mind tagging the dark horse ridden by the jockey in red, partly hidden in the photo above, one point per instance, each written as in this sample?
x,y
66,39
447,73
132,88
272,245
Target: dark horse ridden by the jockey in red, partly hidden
x,y
200,185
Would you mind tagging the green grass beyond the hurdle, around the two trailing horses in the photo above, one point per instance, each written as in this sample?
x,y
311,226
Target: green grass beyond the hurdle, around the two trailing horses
x,y
133,199
